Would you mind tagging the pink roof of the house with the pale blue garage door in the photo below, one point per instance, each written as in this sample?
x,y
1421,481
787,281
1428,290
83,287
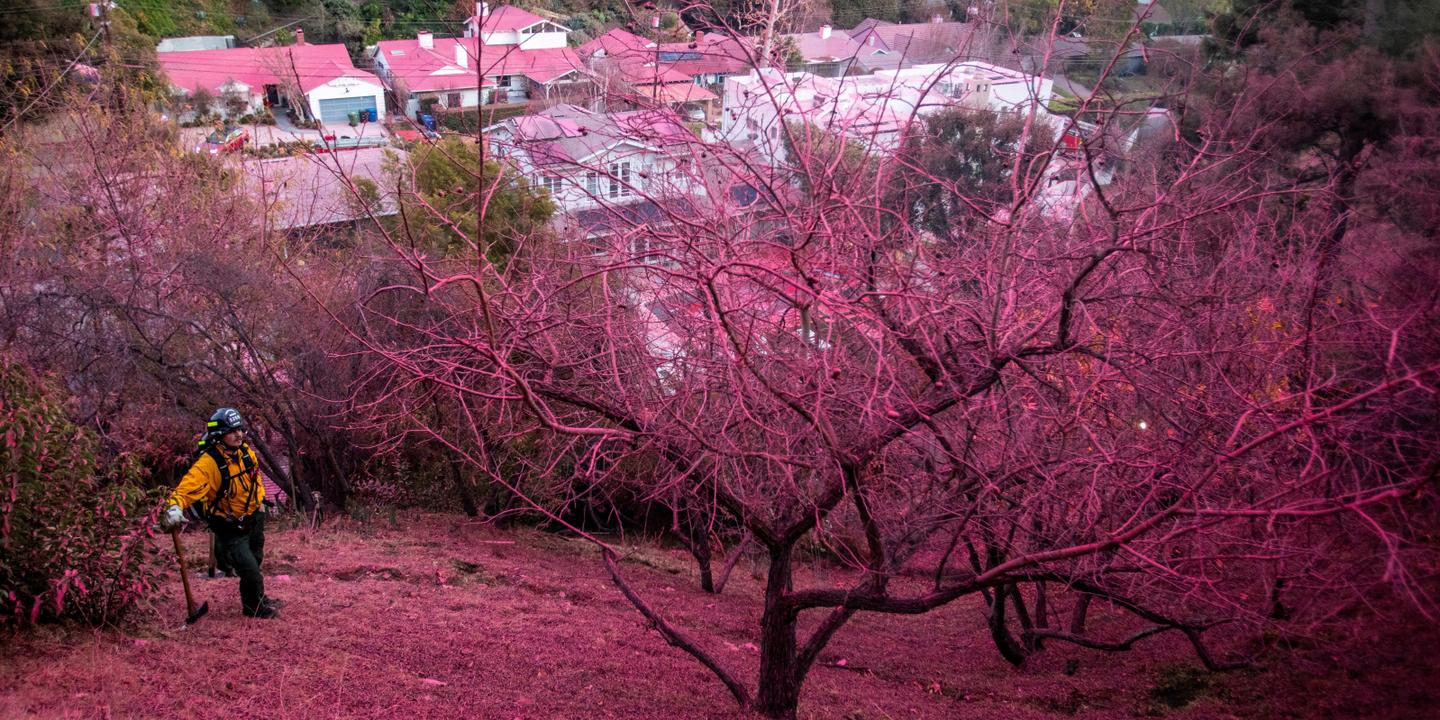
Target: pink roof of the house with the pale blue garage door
x,y
313,66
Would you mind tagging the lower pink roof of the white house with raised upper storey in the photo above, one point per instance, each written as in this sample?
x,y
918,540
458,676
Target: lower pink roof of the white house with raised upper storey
x,y
436,68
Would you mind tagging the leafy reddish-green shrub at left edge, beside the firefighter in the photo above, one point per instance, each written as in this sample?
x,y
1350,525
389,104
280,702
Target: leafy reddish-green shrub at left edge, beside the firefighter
x,y
73,528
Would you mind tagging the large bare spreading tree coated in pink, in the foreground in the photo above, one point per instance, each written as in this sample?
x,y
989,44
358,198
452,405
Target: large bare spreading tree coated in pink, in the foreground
x,y
1118,401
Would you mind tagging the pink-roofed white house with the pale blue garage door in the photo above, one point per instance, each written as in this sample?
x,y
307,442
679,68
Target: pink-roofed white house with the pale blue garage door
x,y
319,81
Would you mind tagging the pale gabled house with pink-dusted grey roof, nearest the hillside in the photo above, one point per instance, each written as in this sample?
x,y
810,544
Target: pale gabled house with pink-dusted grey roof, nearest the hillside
x,y
603,169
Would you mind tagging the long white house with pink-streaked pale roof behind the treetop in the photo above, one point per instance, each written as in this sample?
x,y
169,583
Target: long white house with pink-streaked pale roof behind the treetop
x,y
873,112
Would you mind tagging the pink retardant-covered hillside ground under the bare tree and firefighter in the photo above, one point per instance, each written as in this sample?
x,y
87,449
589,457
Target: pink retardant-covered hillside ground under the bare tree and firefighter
x,y
444,618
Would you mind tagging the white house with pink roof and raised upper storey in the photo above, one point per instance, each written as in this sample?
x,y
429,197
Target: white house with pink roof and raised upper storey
x,y
508,57
